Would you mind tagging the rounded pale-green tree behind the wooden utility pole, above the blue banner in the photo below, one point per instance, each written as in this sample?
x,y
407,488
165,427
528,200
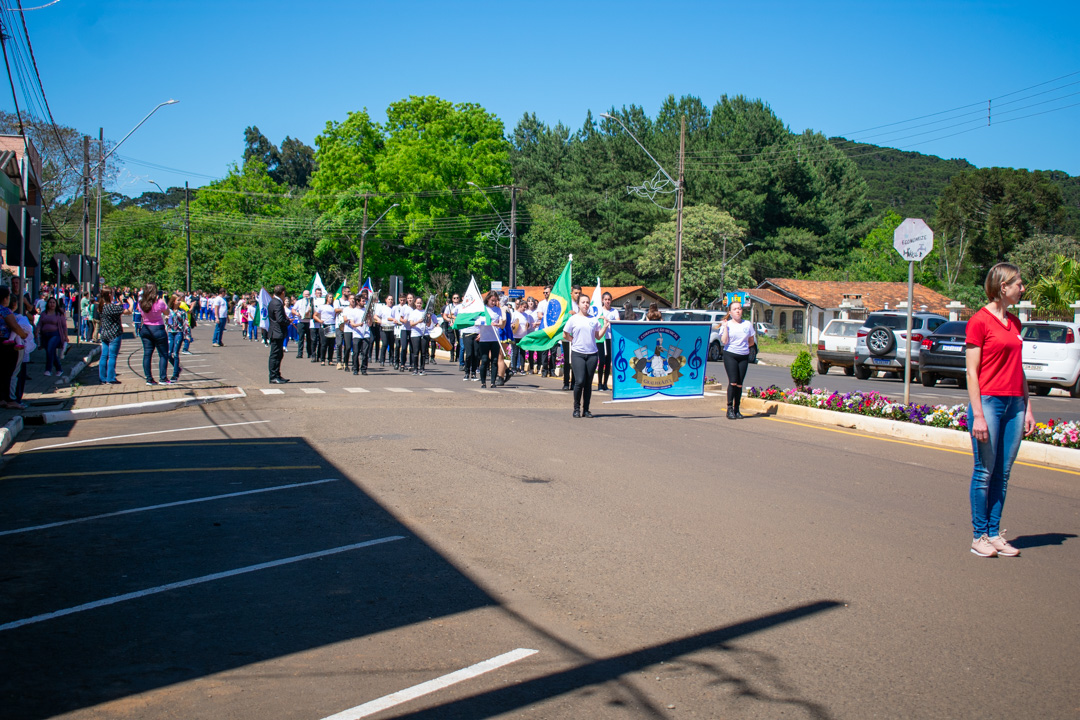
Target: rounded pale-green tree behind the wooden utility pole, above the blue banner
x,y
705,233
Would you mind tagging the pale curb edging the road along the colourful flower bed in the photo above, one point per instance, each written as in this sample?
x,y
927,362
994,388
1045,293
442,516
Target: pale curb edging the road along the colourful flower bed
x,y
941,437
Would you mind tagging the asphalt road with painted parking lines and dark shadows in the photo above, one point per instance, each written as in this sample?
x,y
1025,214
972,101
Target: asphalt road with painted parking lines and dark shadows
x,y
661,561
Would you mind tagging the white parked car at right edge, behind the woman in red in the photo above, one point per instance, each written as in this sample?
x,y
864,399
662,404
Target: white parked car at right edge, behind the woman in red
x,y
1052,357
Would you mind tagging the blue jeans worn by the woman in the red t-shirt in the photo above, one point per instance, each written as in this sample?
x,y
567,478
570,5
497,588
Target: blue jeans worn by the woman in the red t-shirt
x,y
990,482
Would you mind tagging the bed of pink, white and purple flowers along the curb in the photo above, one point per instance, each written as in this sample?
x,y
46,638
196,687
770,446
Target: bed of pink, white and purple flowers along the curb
x,y
1064,434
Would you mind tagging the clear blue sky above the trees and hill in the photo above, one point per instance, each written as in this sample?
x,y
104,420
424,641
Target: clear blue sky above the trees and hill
x,y
290,67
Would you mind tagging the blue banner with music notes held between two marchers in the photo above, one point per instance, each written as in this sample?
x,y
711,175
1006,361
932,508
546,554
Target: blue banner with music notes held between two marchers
x,y
658,359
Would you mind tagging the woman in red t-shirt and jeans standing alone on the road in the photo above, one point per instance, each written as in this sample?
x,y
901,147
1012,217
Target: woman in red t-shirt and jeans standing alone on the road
x,y
1000,414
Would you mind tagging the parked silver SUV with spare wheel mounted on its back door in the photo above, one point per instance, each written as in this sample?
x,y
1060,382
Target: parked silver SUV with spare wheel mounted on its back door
x,y
881,343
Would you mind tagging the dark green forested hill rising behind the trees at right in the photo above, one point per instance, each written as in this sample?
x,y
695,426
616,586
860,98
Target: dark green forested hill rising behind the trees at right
x,y
911,183
